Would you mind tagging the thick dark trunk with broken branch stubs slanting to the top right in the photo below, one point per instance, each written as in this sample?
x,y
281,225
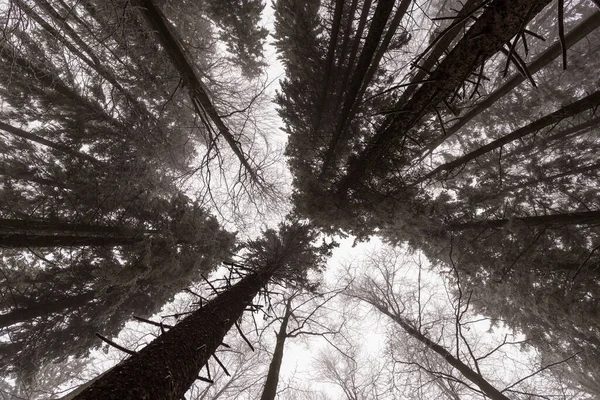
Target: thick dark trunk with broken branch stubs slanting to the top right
x,y
500,21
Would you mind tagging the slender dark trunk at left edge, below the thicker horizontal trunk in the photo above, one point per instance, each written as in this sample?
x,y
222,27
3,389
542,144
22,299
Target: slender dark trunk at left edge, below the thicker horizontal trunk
x,y
40,310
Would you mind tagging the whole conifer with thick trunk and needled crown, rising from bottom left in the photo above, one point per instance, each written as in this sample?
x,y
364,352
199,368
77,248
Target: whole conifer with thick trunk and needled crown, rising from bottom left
x,y
285,255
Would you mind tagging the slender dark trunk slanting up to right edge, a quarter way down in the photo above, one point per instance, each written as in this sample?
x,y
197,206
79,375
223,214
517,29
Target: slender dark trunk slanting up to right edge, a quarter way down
x,y
589,102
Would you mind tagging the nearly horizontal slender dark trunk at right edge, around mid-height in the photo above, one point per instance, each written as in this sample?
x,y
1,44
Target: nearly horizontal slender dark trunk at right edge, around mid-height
x,y
574,218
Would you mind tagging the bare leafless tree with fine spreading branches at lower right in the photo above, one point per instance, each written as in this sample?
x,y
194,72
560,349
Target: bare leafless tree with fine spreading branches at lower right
x,y
421,313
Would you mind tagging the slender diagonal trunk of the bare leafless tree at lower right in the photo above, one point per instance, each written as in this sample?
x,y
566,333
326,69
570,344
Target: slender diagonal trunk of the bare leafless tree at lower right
x,y
463,368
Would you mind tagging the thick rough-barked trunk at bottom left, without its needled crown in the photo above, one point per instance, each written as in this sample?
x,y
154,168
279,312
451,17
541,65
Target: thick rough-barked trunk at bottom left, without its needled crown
x,y
167,367
